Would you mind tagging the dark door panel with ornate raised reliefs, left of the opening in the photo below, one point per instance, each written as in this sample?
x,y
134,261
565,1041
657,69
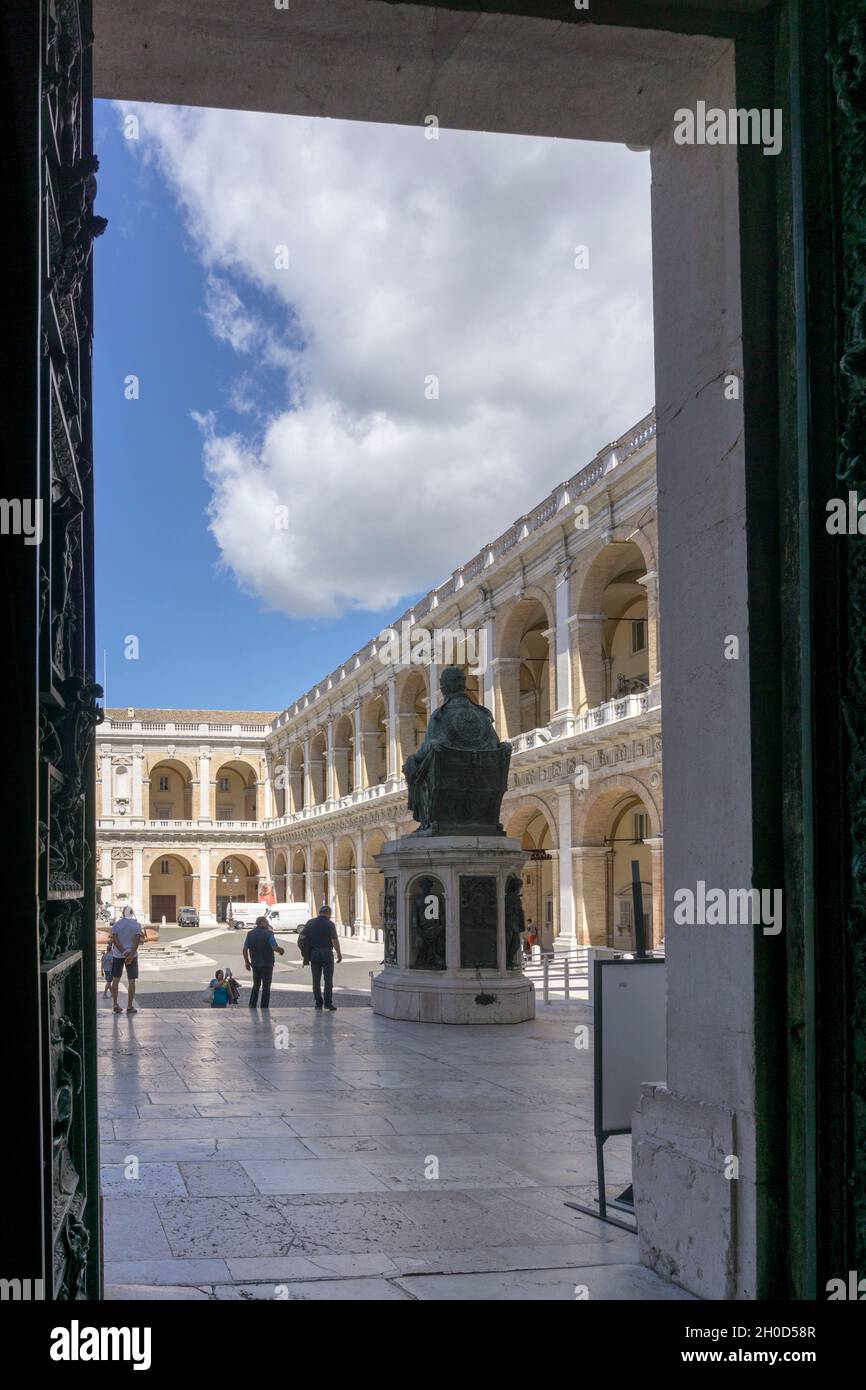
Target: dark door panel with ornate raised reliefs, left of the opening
x,y
67,694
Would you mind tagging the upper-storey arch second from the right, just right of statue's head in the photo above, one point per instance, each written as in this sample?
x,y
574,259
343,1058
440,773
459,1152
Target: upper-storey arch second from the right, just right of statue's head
x,y
526,671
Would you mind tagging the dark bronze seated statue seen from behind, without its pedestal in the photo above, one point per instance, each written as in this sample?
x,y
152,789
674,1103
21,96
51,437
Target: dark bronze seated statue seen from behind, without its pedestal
x,y
459,775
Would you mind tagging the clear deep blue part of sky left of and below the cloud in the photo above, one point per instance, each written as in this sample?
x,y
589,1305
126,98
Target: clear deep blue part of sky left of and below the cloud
x,y
204,644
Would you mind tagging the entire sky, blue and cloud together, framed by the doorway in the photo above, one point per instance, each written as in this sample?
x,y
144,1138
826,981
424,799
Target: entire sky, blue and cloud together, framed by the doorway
x,y
302,386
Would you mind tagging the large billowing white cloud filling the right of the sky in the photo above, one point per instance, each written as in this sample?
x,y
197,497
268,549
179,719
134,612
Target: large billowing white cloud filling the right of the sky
x,y
408,259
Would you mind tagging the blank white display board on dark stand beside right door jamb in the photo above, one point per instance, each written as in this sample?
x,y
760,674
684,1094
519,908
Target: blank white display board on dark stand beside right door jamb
x,y
630,1040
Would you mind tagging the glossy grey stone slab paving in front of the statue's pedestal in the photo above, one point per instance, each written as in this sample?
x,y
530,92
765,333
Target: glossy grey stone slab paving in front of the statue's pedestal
x,y
350,1157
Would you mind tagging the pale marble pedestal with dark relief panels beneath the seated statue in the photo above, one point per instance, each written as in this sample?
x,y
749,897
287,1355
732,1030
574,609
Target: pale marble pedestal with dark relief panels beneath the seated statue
x,y
471,875
